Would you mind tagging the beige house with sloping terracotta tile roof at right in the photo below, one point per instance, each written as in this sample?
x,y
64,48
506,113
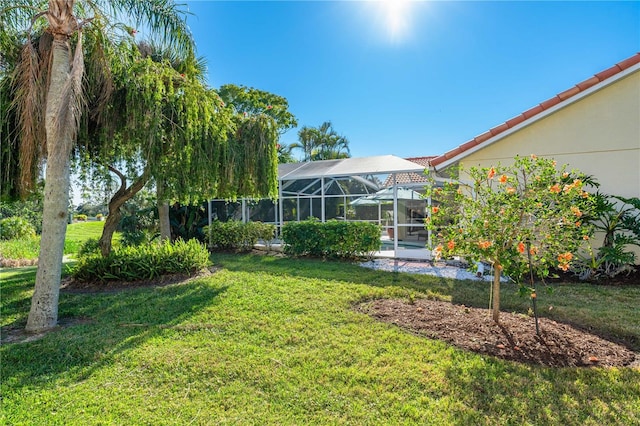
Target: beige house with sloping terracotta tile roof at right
x,y
593,127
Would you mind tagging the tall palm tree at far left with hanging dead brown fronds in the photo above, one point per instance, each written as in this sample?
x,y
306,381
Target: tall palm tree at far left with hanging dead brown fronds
x,y
51,92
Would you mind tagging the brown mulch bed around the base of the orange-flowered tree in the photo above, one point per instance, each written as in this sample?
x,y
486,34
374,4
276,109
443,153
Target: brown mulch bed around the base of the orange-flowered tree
x,y
515,339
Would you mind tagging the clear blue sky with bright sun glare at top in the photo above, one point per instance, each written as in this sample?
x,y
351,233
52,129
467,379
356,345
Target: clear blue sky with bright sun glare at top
x,y
411,78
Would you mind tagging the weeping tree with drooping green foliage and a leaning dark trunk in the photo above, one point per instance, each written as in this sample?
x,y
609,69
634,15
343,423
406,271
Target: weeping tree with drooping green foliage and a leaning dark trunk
x,y
167,127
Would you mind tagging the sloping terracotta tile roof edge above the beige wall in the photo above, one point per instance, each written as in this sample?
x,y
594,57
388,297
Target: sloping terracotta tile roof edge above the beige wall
x,y
533,112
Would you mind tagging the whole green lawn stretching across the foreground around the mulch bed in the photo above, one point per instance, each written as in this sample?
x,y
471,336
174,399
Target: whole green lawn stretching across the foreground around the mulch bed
x,y
269,340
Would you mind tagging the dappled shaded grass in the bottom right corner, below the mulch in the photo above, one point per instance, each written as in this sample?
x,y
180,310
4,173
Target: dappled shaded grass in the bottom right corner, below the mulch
x,y
491,387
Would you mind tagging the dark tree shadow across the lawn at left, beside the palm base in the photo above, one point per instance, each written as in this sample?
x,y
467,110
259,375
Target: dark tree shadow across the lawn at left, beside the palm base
x,y
112,324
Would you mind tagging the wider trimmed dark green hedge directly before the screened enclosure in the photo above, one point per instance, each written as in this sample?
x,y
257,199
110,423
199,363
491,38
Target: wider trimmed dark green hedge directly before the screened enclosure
x,y
339,239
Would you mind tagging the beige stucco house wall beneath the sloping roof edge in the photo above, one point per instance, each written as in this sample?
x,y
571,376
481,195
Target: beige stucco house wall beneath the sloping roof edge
x,y
598,134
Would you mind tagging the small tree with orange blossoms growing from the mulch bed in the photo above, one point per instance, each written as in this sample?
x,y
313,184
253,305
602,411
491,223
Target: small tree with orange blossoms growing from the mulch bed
x,y
528,214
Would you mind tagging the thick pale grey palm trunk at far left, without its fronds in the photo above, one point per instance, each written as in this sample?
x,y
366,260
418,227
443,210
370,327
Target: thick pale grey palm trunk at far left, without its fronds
x,y
44,303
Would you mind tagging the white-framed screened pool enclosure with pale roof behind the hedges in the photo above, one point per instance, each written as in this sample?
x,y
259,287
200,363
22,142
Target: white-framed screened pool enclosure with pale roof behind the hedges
x,y
386,190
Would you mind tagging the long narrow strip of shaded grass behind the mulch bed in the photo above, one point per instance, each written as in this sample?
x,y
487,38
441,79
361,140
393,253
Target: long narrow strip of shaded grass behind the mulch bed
x,y
557,305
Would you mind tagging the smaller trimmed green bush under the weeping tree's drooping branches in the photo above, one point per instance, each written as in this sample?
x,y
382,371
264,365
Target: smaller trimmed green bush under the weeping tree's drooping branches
x,y
237,236
